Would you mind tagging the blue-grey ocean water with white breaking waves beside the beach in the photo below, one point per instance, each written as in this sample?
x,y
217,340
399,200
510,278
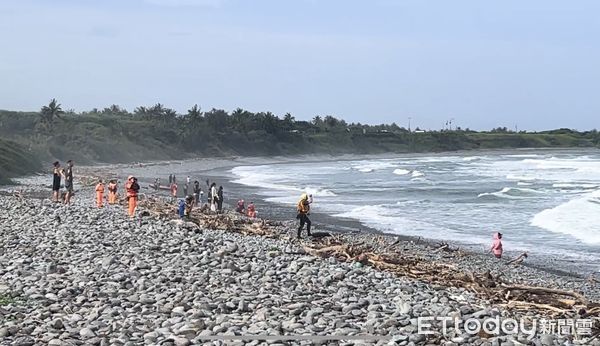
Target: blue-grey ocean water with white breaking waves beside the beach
x,y
546,202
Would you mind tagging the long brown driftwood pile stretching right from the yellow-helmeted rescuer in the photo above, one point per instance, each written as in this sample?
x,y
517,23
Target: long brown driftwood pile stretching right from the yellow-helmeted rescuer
x,y
557,302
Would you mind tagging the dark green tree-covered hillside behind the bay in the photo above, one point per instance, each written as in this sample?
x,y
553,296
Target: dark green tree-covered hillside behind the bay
x,y
114,135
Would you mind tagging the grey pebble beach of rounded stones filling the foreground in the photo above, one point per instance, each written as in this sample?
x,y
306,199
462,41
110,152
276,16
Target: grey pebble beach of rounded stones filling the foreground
x,y
79,275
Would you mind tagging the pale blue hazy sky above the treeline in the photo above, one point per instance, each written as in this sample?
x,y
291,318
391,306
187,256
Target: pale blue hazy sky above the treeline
x,y
531,63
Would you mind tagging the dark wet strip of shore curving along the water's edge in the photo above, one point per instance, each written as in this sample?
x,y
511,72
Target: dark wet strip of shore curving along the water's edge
x,y
217,169
